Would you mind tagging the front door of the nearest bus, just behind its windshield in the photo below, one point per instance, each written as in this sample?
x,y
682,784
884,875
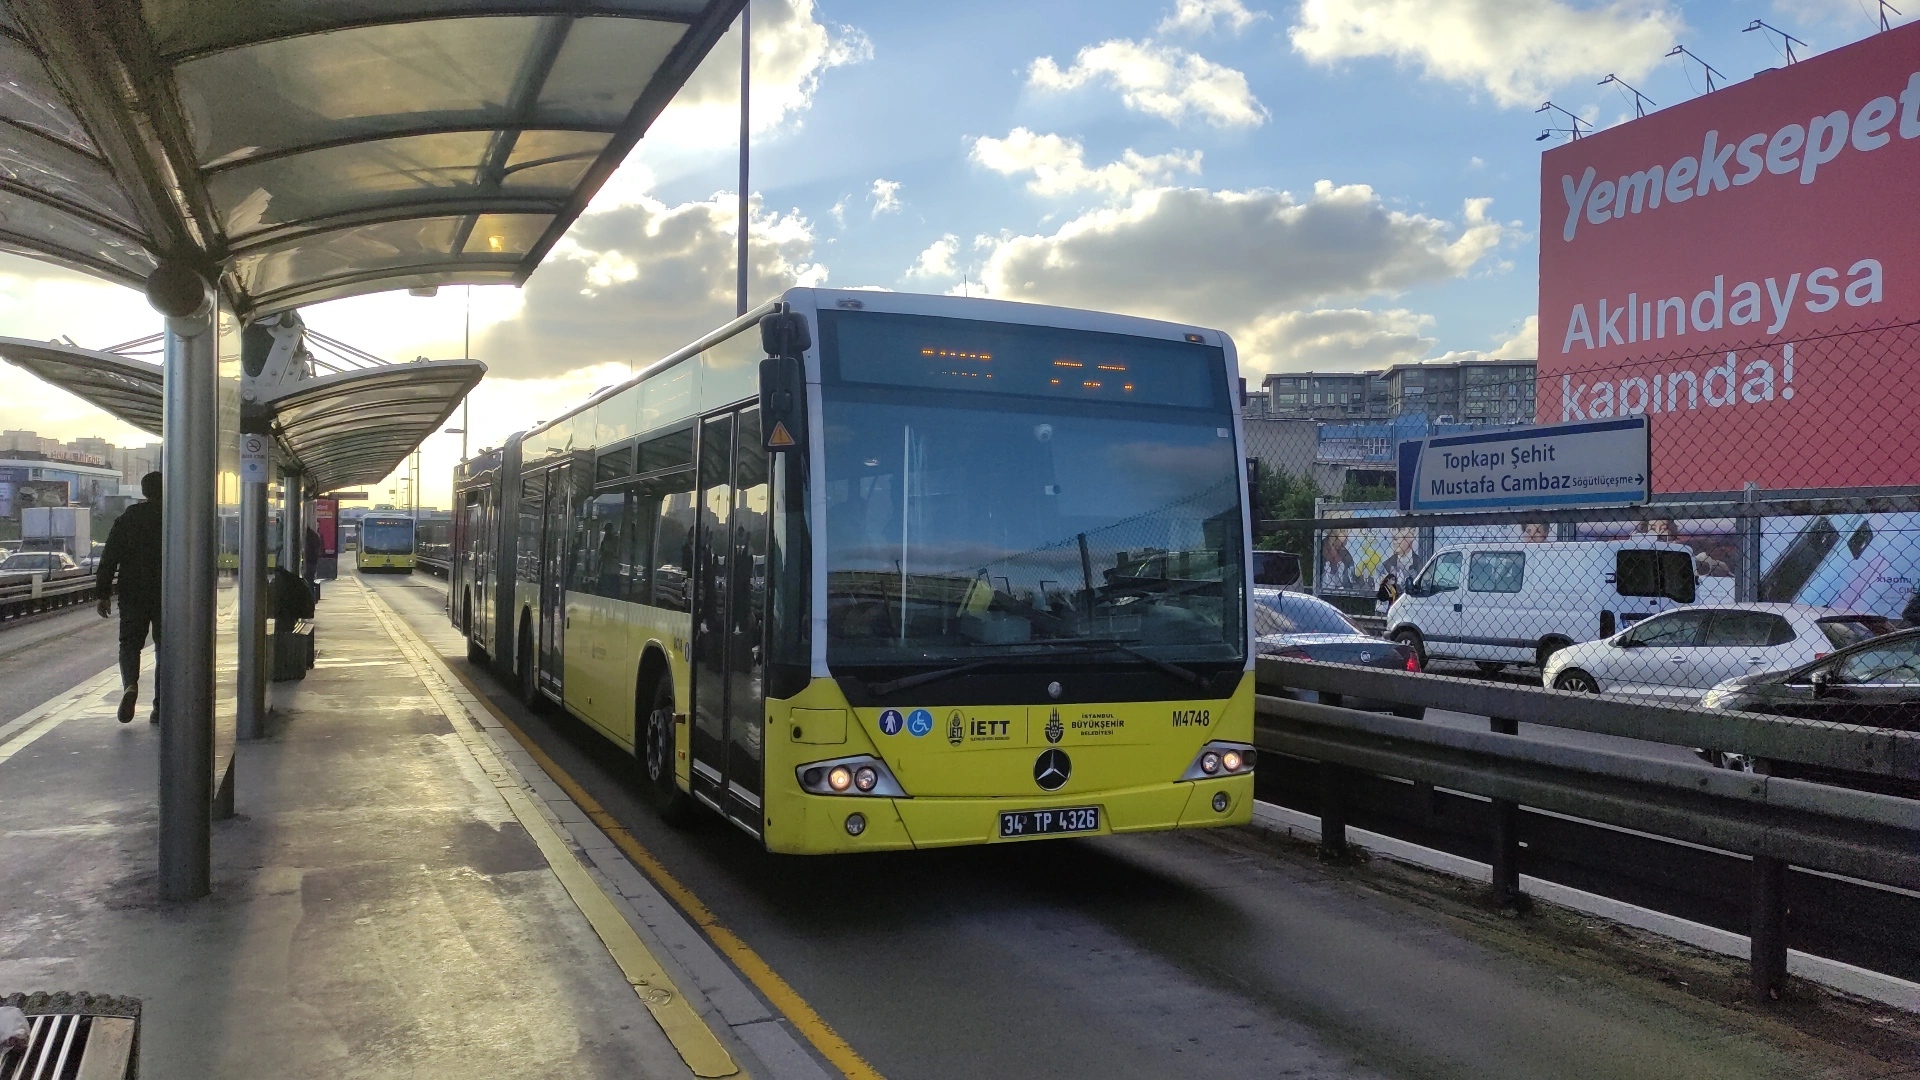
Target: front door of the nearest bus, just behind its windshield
x,y
729,597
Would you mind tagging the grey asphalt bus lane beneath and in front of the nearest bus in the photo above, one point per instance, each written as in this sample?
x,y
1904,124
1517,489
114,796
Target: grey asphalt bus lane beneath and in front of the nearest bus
x,y
1189,956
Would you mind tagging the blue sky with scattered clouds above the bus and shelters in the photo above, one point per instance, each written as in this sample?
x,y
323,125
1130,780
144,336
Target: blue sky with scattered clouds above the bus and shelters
x,y
1339,184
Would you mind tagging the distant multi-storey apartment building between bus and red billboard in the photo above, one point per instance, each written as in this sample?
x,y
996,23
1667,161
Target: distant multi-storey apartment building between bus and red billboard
x,y
1466,393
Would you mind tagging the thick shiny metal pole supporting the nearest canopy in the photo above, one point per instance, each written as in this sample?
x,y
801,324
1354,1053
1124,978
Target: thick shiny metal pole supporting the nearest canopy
x,y
189,554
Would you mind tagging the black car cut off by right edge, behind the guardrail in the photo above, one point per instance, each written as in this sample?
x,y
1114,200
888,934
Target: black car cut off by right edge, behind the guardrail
x,y
1873,683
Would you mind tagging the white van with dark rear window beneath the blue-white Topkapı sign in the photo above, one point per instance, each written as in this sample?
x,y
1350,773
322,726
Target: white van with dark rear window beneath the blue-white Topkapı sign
x,y
1502,604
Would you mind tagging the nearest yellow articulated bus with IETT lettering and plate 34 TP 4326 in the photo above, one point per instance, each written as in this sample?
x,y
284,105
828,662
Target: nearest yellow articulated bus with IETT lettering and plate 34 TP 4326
x,y
873,572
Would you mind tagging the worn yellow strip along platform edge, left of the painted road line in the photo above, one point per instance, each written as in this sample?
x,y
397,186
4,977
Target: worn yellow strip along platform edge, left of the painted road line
x,y
692,1039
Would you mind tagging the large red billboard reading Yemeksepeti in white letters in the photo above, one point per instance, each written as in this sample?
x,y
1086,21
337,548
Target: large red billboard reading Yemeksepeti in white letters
x,y
1744,270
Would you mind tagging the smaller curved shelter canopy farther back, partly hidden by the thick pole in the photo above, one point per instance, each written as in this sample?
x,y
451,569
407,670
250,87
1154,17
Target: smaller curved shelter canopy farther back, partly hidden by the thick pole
x,y
343,430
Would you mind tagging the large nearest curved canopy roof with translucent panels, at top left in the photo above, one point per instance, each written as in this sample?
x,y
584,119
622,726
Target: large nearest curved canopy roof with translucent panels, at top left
x,y
324,149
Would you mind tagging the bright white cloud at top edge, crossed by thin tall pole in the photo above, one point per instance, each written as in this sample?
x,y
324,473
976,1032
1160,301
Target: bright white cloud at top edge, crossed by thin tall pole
x,y
792,51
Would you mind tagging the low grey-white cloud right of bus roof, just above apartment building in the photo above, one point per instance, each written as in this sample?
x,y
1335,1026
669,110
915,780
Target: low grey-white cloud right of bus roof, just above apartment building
x,y
1332,339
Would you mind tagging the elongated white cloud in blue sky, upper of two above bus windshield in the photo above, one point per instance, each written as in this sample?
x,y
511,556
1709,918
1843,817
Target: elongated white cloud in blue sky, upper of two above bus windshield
x,y
1157,80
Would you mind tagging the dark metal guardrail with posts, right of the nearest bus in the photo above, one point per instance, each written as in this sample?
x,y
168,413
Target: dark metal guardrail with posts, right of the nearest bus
x,y
1775,822
